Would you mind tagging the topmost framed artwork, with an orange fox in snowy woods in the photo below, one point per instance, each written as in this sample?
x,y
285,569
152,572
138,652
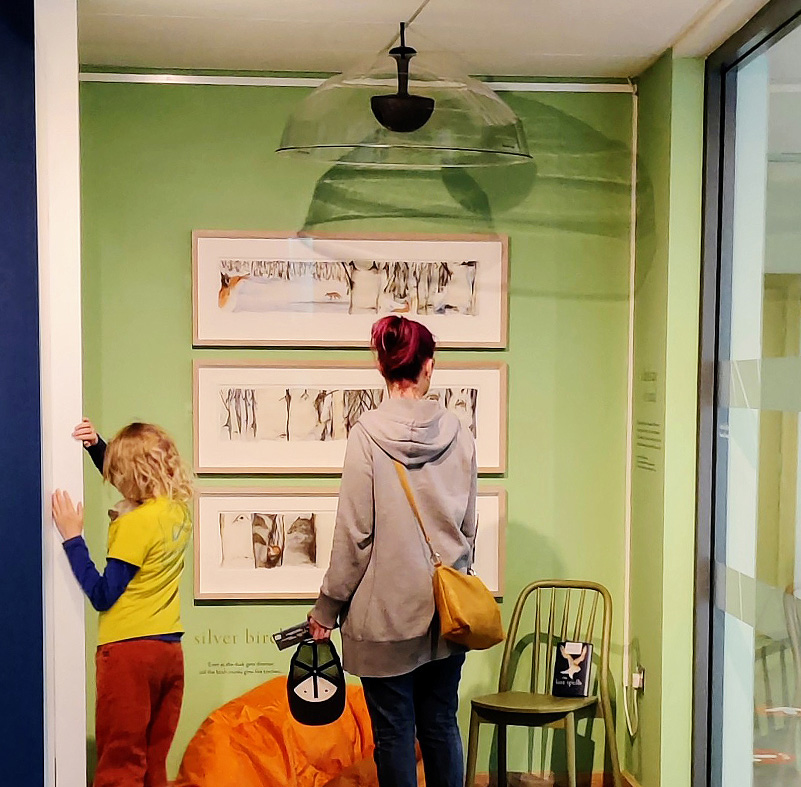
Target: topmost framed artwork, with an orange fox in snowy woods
x,y
254,289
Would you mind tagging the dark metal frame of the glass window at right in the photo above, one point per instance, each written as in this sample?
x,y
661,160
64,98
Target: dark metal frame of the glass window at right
x,y
776,20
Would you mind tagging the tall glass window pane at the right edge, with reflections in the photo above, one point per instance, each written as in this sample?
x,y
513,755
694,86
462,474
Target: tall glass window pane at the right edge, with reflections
x,y
756,724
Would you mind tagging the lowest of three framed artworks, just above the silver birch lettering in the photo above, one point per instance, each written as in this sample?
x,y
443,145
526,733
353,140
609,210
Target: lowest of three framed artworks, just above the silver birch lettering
x,y
276,543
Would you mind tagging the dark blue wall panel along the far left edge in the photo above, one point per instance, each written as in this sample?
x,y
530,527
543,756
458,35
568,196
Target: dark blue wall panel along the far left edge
x,y
21,638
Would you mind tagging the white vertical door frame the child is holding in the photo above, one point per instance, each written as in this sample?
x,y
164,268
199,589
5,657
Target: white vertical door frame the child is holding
x,y
58,189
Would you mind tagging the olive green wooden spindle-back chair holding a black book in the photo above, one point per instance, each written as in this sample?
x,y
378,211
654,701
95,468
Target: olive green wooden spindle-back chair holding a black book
x,y
563,610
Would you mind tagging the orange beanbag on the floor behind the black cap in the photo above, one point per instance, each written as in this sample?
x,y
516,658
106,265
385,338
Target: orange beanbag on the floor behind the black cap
x,y
253,741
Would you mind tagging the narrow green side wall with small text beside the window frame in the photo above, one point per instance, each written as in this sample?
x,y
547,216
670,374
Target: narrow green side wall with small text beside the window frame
x,y
670,151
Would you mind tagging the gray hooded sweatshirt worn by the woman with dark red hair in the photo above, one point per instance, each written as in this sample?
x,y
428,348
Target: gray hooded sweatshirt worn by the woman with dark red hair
x,y
379,583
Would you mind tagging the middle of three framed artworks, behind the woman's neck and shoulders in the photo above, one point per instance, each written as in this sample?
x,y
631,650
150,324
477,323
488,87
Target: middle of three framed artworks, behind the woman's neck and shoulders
x,y
271,417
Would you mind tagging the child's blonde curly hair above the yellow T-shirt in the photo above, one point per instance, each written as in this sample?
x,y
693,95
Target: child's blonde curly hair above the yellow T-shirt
x,y
143,463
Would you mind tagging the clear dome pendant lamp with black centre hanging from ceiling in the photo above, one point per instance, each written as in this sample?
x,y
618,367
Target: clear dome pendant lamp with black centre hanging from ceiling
x,y
432,115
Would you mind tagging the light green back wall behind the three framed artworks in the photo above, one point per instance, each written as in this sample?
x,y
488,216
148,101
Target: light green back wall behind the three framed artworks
x,y
160,161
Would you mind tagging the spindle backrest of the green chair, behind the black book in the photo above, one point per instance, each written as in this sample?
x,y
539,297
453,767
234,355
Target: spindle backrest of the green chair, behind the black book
x,y
559,610
